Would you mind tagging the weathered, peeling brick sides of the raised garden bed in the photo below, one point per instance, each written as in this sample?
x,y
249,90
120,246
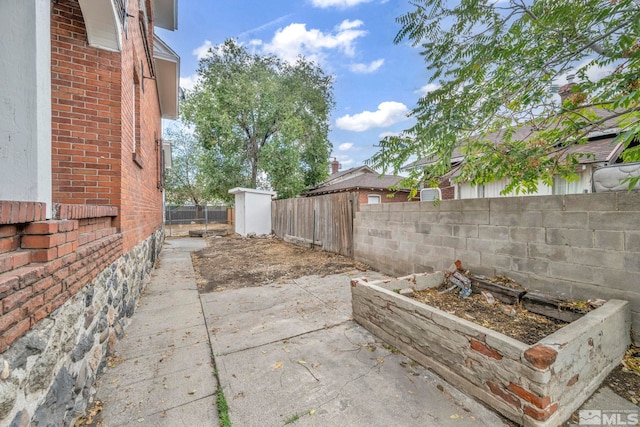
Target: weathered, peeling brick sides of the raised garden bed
x,y
534,385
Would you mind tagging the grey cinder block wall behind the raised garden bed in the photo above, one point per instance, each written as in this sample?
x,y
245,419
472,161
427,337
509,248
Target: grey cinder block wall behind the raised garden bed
x,y
574,247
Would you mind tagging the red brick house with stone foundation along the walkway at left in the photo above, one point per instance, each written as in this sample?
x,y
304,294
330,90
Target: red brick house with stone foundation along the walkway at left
x,y
85,86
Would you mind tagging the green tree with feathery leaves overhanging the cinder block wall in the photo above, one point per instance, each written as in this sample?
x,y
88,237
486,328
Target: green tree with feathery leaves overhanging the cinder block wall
x,y
492,65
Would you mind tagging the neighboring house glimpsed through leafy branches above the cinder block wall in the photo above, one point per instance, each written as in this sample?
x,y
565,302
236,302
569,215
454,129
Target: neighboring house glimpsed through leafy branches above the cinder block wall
x,y
600,144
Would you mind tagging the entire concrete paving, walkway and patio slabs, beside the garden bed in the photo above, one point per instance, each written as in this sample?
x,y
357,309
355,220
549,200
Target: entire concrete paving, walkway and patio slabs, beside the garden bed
x,y
286,354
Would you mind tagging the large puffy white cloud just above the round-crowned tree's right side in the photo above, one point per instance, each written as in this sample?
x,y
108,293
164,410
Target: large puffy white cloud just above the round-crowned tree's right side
x,y
294,40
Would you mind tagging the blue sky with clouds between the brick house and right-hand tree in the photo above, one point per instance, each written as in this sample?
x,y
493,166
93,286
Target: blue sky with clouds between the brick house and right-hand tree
x,y
376,83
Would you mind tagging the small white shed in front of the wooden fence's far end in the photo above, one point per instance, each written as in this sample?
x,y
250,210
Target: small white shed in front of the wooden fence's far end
x,y
253,210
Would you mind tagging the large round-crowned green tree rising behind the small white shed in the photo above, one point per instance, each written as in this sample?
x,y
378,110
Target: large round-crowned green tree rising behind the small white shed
x,y
261,116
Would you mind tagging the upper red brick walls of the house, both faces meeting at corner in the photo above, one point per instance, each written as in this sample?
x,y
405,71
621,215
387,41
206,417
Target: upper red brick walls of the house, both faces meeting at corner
x,y
96,117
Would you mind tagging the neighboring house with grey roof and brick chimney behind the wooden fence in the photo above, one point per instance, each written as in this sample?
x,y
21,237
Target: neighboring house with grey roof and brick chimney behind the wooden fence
x,y
371,186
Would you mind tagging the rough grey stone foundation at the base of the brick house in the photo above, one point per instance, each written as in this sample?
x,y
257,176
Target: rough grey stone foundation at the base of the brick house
x,y
46,376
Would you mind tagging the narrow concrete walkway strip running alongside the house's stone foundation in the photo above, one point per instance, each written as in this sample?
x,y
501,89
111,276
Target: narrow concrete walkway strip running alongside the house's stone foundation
x,y
163,373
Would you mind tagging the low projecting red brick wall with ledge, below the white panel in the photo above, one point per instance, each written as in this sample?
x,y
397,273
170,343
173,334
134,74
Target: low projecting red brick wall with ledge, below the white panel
x,y
43,263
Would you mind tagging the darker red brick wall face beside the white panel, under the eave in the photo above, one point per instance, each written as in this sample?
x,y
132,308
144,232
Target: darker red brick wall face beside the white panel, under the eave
x,y
85,113
